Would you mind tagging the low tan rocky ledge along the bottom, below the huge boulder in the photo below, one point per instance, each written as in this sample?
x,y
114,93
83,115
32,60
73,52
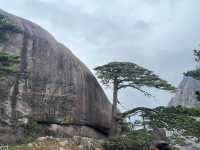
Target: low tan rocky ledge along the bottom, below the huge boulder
x,y
74,143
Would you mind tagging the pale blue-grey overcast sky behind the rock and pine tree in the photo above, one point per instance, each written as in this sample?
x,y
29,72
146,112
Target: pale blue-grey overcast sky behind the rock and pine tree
x,y
159,35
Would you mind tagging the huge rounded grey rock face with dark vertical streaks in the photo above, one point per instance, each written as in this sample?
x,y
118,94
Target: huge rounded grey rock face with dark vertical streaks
x,y
54,87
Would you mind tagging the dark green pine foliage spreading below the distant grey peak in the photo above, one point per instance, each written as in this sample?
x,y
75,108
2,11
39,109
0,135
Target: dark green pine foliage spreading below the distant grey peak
x,y
179,119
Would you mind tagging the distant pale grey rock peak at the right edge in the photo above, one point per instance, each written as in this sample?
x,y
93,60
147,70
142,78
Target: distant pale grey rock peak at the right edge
x,y
185,95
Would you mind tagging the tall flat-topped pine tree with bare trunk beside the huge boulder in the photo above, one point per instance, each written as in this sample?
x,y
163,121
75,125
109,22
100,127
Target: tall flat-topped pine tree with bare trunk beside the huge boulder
x,y
126,74
